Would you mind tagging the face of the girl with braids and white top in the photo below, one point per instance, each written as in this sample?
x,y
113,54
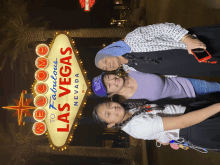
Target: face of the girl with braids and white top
x,y
111,112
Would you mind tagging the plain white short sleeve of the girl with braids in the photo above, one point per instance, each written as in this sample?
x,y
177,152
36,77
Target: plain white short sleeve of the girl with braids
x,y
145,127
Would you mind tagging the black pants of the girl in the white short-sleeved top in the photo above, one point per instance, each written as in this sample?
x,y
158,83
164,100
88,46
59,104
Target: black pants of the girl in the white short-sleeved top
x,y
205,134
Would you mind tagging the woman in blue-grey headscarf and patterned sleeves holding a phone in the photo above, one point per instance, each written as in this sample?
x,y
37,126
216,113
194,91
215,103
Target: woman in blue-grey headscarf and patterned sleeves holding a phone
x,y
168,45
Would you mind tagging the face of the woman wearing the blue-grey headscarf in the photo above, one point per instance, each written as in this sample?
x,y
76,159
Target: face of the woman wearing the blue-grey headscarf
x,y
109,63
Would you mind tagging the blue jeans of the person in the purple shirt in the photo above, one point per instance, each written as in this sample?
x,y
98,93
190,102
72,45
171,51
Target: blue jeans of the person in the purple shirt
x,y
203,87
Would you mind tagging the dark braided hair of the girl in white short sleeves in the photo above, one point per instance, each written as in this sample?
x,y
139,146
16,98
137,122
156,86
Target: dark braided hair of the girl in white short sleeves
x,y
126,106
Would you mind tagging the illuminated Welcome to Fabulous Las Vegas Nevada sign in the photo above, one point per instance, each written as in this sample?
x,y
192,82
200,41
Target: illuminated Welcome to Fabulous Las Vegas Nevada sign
x,y
60,89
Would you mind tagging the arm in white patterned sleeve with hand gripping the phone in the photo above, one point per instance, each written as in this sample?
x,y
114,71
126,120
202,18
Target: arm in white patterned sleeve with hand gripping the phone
x,y
167,31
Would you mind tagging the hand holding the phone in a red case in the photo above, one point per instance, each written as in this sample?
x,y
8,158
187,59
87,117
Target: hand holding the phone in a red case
x,y
193,43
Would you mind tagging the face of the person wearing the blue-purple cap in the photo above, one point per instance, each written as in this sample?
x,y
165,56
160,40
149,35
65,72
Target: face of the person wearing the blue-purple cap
x,y
113,83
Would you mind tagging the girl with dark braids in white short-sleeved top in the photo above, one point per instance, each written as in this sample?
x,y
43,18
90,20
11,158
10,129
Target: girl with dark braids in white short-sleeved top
x,y
164,123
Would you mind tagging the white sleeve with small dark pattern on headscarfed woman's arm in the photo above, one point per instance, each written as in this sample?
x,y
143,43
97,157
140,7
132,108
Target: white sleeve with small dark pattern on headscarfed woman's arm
x,y
166,30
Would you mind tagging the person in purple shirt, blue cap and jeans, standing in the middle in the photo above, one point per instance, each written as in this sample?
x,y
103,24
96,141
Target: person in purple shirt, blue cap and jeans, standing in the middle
x,y
138,85
